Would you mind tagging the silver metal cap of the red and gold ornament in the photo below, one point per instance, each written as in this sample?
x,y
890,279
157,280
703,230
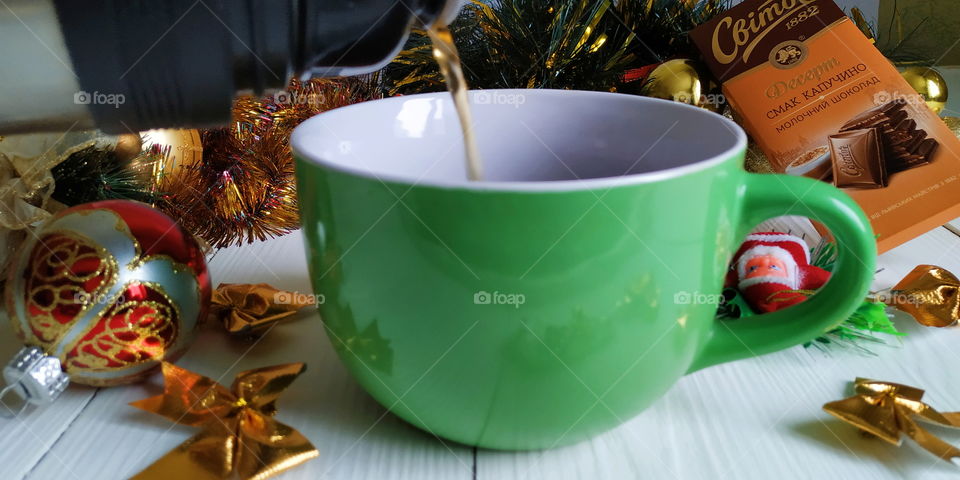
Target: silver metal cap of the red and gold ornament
x,y
35,376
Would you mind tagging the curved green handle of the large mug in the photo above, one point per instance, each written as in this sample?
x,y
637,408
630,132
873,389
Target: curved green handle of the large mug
x,y
766,196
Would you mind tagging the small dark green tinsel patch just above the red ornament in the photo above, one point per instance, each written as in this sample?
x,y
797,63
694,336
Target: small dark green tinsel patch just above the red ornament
x,y
95,174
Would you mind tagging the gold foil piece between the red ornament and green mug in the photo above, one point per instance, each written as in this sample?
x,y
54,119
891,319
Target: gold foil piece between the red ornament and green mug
x,y
249,309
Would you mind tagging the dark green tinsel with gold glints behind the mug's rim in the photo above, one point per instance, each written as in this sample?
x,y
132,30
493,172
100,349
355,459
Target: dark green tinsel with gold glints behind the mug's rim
x,y
583,45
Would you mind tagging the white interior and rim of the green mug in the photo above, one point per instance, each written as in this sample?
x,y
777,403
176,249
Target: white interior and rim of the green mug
x,y
540,139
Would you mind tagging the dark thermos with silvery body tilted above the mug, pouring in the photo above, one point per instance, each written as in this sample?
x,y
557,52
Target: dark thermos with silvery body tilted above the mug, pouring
x,y
131,65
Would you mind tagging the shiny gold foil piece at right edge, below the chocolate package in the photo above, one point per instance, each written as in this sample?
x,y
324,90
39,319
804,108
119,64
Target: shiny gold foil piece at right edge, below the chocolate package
x,y
930,294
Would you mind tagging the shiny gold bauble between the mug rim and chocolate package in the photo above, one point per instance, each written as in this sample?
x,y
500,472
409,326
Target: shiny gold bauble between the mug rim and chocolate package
x,y
685,81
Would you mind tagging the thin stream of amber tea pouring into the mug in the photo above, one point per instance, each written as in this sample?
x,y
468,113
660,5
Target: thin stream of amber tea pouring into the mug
x,y
449,60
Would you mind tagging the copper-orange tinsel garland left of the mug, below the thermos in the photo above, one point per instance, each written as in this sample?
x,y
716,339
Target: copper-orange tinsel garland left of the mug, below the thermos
x,y
244,189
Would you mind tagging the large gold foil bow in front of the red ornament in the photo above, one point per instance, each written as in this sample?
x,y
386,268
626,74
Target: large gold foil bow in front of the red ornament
x,y
240,438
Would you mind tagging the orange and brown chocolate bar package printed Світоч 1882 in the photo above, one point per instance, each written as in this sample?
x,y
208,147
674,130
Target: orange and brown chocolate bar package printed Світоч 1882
x,y
808,85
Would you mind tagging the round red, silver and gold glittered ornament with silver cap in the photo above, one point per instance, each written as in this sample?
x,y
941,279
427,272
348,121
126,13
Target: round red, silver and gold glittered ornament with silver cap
x,y
104,293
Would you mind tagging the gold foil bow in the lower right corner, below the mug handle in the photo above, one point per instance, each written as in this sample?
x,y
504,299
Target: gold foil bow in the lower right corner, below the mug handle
x,y
888,410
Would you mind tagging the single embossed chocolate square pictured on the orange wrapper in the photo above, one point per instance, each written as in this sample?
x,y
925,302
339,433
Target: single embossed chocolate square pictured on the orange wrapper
x,y
857,159
